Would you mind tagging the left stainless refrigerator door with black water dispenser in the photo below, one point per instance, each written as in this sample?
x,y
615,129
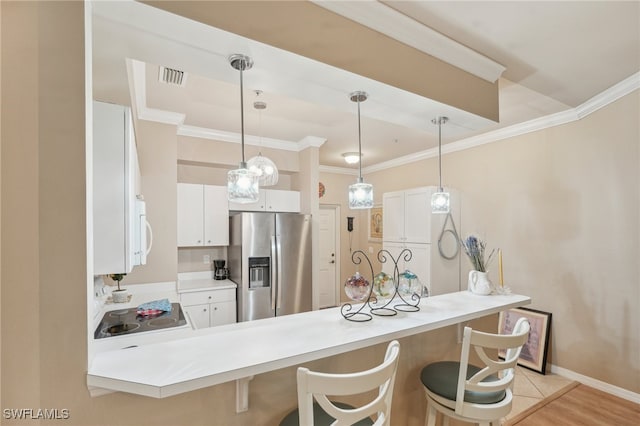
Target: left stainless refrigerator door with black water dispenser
x,y
251,264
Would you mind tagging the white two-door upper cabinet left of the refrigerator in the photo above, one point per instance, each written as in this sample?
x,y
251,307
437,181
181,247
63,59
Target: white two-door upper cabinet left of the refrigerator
x,y
203,215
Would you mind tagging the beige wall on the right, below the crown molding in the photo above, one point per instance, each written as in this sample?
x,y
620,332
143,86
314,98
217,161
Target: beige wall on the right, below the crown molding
x,y
562,203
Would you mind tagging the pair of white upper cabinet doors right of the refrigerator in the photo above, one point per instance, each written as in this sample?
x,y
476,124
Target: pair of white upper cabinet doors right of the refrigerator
x,y
407,216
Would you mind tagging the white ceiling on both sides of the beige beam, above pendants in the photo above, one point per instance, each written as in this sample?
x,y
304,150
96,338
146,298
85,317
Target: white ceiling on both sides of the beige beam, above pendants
x,y
557,55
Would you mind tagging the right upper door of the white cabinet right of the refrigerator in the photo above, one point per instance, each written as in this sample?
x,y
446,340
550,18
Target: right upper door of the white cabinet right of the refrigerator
x,y
417,215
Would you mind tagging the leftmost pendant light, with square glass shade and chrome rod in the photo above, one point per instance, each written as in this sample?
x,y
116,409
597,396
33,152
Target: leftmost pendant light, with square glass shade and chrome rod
x,y
242,183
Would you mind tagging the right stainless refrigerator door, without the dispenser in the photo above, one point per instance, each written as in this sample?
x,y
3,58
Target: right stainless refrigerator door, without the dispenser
x,y
293,263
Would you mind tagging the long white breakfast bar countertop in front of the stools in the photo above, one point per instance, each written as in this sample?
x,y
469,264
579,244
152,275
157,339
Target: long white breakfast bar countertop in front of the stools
x,y
220,354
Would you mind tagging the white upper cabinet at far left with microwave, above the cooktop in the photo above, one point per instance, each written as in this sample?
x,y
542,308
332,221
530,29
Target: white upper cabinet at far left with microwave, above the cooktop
x,y
119,222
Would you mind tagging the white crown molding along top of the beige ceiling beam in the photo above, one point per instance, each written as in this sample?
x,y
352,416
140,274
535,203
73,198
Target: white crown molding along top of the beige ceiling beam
x,y
404,29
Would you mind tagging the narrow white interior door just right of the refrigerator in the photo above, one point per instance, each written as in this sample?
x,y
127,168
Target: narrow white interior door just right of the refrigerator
x,y
329,263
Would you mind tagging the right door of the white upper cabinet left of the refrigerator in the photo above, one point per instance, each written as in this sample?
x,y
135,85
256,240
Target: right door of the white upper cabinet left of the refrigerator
x,y
216,216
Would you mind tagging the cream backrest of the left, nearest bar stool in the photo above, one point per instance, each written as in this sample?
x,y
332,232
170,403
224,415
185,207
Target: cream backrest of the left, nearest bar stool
x,y
318,385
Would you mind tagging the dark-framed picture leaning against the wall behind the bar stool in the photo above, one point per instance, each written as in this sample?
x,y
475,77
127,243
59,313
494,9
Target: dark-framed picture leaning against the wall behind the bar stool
x,y
534,351
